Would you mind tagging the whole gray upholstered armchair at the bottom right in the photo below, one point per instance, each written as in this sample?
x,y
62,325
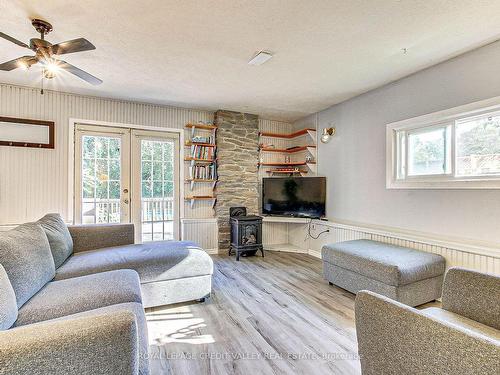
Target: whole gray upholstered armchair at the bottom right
x,y
462,337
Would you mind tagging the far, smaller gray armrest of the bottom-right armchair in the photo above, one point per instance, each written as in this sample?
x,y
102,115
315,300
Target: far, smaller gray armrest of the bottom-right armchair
x,y
473,294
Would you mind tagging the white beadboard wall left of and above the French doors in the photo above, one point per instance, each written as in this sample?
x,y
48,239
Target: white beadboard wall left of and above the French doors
x,y
34,182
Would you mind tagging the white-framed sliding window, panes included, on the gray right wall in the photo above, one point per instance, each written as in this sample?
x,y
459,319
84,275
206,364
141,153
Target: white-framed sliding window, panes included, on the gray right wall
x,y
449,149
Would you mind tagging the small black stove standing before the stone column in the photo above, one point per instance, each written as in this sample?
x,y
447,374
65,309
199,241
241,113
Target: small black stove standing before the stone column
x,y
246,233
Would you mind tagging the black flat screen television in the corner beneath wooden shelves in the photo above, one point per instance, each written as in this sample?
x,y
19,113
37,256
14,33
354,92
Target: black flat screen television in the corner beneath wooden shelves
x,y
294,196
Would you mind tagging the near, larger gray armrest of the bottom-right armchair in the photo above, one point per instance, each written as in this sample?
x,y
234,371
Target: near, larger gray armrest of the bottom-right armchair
x,y
396,339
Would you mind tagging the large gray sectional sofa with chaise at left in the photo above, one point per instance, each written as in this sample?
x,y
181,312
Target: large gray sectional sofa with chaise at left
x,y
72,301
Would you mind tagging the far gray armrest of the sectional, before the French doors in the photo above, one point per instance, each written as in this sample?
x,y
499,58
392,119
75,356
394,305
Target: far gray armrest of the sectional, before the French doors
x,y
97,236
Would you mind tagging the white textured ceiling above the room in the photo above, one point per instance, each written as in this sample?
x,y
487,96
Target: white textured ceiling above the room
x,y
194,53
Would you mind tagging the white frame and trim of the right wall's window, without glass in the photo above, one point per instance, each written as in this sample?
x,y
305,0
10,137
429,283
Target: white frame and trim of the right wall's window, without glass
x,y
448,117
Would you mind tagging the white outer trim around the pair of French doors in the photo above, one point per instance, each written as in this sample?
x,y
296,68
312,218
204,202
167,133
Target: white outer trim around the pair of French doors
x,y
71,156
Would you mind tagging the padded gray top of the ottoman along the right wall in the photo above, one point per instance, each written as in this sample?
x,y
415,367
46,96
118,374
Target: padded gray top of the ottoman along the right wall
x,y
393,265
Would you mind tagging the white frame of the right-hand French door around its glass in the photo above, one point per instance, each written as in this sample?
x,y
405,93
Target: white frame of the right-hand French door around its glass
x,y
135,137
